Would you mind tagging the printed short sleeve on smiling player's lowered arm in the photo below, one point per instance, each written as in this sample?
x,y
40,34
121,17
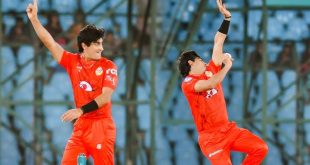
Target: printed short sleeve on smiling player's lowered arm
x,y
111,79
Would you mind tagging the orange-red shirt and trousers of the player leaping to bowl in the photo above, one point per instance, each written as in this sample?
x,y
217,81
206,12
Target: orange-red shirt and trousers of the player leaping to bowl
x,y
217,135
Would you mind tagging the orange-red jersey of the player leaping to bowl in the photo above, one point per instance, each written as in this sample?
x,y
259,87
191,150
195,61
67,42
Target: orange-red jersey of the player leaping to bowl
x,y
208,107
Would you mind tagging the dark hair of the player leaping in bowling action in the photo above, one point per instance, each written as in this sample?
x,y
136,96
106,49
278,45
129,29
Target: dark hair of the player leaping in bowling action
x,y
183,59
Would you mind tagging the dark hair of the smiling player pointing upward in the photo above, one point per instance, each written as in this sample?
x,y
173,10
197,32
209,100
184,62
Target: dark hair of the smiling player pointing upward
x,y
89,34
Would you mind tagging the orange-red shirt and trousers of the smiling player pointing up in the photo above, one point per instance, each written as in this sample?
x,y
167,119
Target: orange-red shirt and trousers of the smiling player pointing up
x,y
94,132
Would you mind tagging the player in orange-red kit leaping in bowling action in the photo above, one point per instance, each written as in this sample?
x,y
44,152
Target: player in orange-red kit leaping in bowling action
x,y
203,90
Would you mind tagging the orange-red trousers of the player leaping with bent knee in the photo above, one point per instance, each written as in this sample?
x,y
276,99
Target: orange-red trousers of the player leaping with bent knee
x,y
216,146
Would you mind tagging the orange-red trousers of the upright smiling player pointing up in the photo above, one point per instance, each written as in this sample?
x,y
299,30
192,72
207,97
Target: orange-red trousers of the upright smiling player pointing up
x,y
93,137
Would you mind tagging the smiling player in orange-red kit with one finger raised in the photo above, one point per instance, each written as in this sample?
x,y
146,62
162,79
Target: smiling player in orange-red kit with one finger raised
x,y
93,79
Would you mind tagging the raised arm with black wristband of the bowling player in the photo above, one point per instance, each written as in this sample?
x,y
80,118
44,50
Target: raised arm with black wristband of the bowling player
x,y
220,36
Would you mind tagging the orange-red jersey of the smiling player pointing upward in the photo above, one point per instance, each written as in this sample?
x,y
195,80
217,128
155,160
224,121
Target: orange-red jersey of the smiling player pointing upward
x,y
87,82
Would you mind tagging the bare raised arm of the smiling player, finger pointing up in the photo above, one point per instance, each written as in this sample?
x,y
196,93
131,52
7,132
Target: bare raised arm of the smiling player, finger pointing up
x,y
43,34
